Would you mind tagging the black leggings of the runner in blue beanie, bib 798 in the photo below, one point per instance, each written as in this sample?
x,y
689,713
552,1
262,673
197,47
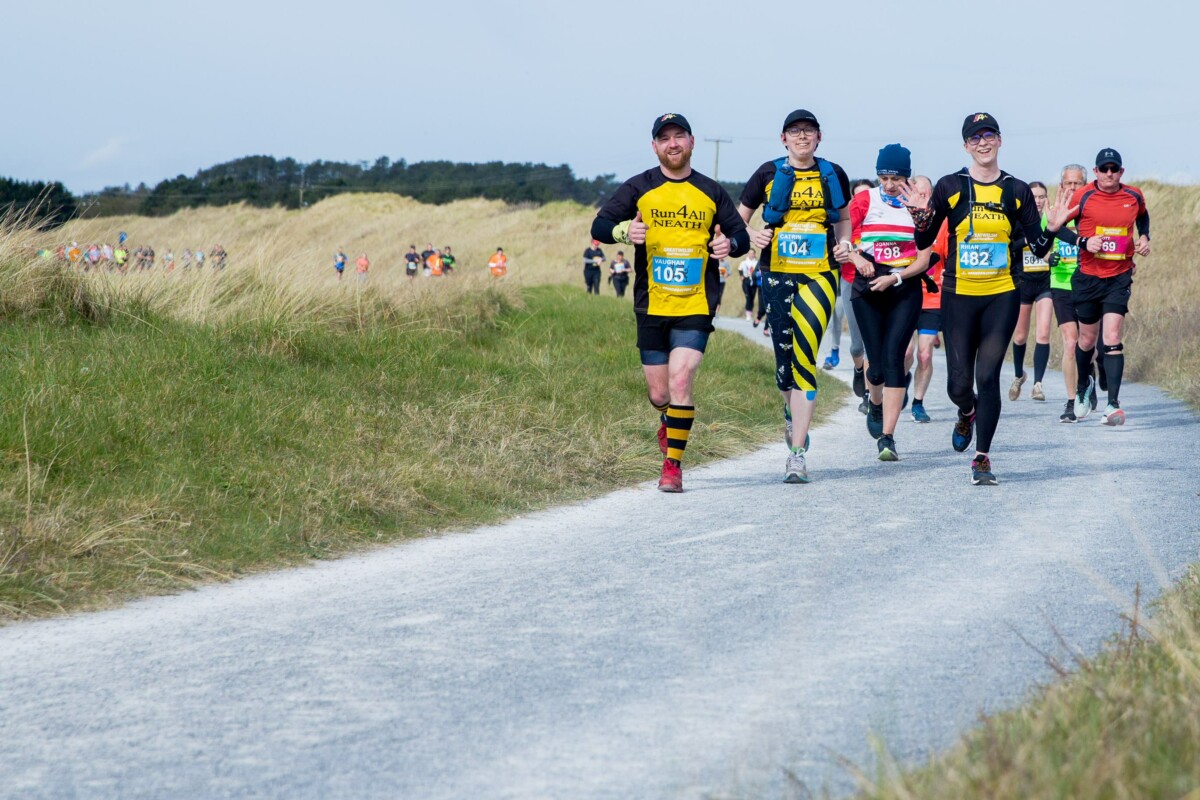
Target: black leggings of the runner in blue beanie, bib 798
x,y
887,321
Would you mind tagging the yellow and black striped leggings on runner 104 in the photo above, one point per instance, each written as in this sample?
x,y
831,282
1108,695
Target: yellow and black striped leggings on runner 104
x,y
799,310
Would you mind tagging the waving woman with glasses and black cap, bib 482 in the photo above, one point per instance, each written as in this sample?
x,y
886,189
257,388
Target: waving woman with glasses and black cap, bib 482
x,y
987,210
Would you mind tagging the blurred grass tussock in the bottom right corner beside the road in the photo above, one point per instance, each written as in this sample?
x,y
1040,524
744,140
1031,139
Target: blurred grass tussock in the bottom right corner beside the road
x,y
1123,725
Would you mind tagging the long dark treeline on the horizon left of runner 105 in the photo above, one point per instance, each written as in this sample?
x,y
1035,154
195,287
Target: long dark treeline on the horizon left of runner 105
x,y
268,182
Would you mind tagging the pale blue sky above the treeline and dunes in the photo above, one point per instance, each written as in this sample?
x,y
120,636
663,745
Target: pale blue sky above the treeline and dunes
x,y
130,91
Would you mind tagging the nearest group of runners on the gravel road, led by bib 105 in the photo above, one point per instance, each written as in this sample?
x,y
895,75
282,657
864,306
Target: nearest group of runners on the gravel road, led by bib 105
x,y
908,264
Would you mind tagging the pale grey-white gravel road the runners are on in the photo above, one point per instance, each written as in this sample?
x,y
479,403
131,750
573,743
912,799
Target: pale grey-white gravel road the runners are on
x,y
638,646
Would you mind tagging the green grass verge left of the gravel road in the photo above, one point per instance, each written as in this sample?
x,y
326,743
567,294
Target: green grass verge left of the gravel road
x,y
142,456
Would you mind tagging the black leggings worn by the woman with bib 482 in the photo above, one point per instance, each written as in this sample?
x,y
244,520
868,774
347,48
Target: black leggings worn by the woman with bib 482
x,y
977,335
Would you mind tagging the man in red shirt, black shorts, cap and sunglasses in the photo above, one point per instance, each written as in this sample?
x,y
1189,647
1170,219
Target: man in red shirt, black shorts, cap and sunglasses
x,y
1113,227
